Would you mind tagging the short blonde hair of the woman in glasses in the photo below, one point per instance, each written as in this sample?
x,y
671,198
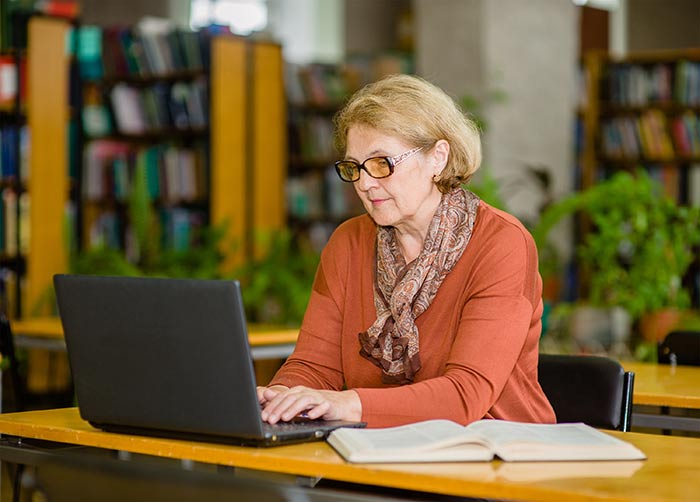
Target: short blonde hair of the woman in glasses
x,y
420,113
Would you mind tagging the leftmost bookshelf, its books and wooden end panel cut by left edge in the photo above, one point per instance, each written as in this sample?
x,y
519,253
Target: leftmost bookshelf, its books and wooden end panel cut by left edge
x,y
33,183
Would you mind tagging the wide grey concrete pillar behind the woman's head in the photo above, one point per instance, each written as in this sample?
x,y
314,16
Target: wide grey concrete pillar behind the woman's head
x,y
529,51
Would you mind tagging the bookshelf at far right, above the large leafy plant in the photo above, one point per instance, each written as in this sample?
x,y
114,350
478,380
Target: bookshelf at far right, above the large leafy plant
x,y
643,110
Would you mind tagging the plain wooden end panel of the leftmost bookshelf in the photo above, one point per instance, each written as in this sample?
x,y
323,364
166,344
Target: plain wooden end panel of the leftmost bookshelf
x,y
47,118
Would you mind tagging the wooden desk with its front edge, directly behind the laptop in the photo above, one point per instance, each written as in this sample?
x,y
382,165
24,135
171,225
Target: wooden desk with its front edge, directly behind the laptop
x,y
46,333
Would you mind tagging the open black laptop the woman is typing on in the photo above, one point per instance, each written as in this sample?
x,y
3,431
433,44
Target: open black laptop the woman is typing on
x,y
168,358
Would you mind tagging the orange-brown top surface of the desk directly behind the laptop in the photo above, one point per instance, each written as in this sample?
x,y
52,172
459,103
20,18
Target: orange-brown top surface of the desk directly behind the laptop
x,y
51,328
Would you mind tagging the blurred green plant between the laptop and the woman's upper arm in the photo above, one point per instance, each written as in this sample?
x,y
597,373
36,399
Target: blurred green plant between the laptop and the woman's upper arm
x,y
277,285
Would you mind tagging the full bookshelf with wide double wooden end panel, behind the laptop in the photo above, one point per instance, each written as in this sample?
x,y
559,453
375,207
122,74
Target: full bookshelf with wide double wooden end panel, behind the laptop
x,y
199,112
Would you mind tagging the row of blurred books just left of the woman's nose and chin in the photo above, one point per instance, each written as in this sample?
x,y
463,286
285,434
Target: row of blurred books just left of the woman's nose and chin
x,y
321,195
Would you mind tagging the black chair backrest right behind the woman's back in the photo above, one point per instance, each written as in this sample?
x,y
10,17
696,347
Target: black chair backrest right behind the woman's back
x,y
595,390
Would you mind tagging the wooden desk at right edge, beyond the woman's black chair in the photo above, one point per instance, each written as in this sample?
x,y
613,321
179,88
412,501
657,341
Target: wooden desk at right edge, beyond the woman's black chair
x,y
667,386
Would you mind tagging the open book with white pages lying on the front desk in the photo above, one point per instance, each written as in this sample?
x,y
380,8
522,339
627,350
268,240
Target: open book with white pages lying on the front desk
x,y
443,441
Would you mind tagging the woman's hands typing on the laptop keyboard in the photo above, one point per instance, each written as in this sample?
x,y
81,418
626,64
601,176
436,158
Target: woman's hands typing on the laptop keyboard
x,y
283,404
